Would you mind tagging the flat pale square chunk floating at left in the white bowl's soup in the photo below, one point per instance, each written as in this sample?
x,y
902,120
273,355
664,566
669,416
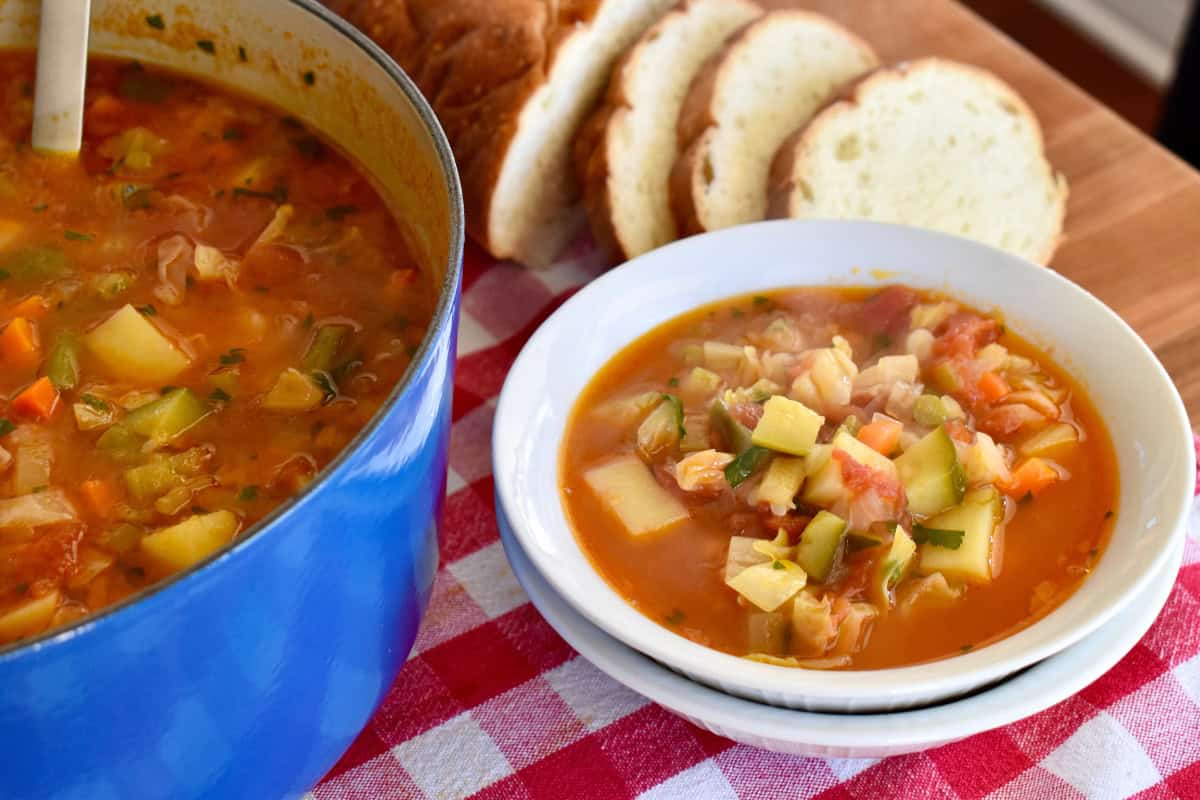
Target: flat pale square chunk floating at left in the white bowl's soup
x,y
628,490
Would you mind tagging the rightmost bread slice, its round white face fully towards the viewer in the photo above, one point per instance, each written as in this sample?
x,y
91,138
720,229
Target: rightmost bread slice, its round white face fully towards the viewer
x,y
934,145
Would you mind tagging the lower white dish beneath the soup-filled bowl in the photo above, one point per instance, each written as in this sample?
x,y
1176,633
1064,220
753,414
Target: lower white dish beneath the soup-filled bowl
x,y
851,736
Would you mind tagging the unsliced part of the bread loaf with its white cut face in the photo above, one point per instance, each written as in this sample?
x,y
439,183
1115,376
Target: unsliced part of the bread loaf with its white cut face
x,y
511,81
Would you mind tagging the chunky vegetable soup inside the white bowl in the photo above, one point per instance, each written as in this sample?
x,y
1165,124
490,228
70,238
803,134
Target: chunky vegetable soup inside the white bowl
x,y
839,478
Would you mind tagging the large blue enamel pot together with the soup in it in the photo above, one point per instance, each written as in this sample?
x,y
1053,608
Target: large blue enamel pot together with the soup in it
x,y
226,347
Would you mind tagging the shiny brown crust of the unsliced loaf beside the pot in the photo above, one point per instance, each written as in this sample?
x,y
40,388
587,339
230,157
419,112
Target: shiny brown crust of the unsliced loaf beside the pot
x,y
477,62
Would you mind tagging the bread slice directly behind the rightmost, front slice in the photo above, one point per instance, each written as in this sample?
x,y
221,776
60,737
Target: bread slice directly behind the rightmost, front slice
x,y
765,83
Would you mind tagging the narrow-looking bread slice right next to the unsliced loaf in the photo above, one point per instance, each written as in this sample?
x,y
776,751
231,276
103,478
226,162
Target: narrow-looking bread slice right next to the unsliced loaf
x,y
626,152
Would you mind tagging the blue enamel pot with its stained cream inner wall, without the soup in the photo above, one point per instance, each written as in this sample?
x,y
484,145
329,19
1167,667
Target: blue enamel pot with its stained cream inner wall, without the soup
x,y
249,676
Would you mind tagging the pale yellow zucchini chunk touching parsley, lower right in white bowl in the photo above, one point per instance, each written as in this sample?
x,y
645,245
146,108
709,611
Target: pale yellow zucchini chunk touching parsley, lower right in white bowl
x,y
977,519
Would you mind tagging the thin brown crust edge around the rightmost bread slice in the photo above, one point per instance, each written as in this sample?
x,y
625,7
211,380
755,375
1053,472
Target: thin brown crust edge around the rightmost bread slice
x,y
783,175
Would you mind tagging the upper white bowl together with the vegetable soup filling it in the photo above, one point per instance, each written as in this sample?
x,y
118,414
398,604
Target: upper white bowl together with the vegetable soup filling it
x,y
842,466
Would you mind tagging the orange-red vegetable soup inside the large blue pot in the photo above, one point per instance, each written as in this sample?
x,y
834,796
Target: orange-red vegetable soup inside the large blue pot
x,y
199,314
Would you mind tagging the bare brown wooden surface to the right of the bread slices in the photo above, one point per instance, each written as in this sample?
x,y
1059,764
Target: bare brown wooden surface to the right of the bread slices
x,y
1133,225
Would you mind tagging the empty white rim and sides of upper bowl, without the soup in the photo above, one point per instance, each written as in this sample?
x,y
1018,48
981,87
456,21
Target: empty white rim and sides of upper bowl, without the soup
x,y
1125,381
